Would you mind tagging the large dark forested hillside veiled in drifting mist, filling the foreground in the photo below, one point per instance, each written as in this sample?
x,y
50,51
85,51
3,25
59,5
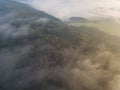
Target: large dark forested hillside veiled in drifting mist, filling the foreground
x,y
39,52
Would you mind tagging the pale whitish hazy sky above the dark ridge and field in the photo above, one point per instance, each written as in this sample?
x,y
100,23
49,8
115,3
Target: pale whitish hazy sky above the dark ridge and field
x,y
84,8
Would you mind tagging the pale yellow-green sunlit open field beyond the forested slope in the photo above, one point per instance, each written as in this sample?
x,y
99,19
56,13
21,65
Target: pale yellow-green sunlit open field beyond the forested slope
x,y
109,27
